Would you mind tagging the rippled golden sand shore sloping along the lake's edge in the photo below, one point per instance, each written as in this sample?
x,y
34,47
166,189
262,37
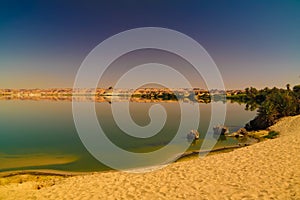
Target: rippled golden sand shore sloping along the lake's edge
x,y
266,170
